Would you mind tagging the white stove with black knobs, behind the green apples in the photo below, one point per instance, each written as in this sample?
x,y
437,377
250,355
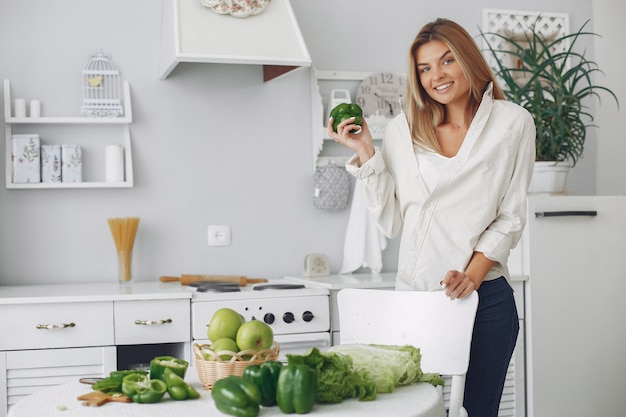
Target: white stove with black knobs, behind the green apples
x,y
298,314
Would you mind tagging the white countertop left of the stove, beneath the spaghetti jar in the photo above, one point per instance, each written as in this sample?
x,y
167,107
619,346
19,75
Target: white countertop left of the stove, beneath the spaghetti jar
x,y
61,293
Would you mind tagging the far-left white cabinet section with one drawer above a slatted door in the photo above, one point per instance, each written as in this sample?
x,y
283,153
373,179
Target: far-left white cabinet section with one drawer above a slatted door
x,y
52,343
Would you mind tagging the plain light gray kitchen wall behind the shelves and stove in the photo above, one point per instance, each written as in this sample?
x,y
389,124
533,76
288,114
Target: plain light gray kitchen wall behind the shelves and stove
x,y
212,144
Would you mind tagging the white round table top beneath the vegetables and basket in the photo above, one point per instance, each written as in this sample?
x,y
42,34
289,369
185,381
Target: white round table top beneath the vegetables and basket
x,y
417,400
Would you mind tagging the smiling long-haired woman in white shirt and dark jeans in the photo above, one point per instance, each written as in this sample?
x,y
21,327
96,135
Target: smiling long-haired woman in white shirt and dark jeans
x,y
452,178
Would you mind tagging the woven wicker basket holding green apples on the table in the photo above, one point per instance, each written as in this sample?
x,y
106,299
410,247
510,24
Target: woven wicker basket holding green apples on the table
x,y
210,371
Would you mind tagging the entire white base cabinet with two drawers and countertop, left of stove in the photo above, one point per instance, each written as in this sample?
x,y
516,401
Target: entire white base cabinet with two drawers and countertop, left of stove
x,y
54,334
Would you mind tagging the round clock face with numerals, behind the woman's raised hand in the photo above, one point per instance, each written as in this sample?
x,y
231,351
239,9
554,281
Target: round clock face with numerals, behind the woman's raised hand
x,y
381,93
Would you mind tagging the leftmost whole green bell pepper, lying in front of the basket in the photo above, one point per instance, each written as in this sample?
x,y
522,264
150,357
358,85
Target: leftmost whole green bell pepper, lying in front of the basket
x,y
236,396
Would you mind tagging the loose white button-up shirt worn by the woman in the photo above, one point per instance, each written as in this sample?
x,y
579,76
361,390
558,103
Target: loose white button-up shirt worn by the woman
x,y
478,203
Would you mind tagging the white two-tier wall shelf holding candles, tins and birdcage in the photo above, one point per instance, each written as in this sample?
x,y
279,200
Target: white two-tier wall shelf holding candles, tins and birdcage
x,y
124,122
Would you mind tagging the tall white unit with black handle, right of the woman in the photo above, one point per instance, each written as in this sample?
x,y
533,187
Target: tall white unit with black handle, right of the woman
x,y
575,339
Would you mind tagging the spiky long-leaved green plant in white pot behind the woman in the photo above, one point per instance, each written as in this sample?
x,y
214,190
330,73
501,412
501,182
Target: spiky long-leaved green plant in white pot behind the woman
x,y
545,75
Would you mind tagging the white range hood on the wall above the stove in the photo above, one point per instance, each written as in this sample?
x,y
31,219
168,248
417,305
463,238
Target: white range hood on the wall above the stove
x,y
195,33
